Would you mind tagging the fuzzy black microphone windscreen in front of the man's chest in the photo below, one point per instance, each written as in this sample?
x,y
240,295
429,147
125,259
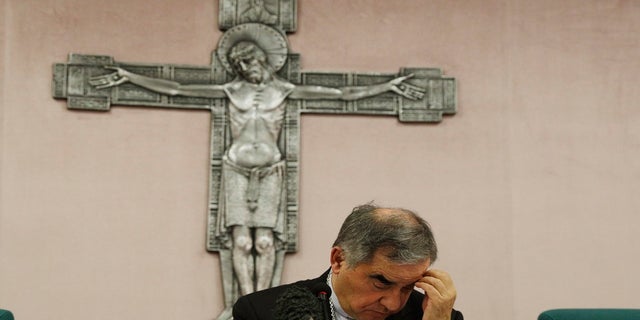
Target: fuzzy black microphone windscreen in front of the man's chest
x,y
297,303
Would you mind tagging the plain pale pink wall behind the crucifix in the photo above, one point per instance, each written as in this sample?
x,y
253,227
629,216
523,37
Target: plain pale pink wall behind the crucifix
x,y
531,187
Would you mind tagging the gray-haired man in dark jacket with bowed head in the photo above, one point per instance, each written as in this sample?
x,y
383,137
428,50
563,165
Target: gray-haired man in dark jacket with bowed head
x,y
379,257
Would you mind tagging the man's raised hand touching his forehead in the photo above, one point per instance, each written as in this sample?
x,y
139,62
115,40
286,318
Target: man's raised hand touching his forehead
x,y
440,294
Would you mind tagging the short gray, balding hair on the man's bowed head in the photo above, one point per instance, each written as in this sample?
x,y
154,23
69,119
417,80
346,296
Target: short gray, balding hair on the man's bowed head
x,y
402,235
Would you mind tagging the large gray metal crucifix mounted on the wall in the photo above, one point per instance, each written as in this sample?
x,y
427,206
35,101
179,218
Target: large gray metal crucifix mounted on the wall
x,y
256,92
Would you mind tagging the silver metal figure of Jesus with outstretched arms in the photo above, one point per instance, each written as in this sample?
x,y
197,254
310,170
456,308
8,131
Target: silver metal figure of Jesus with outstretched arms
x,y
251,197
